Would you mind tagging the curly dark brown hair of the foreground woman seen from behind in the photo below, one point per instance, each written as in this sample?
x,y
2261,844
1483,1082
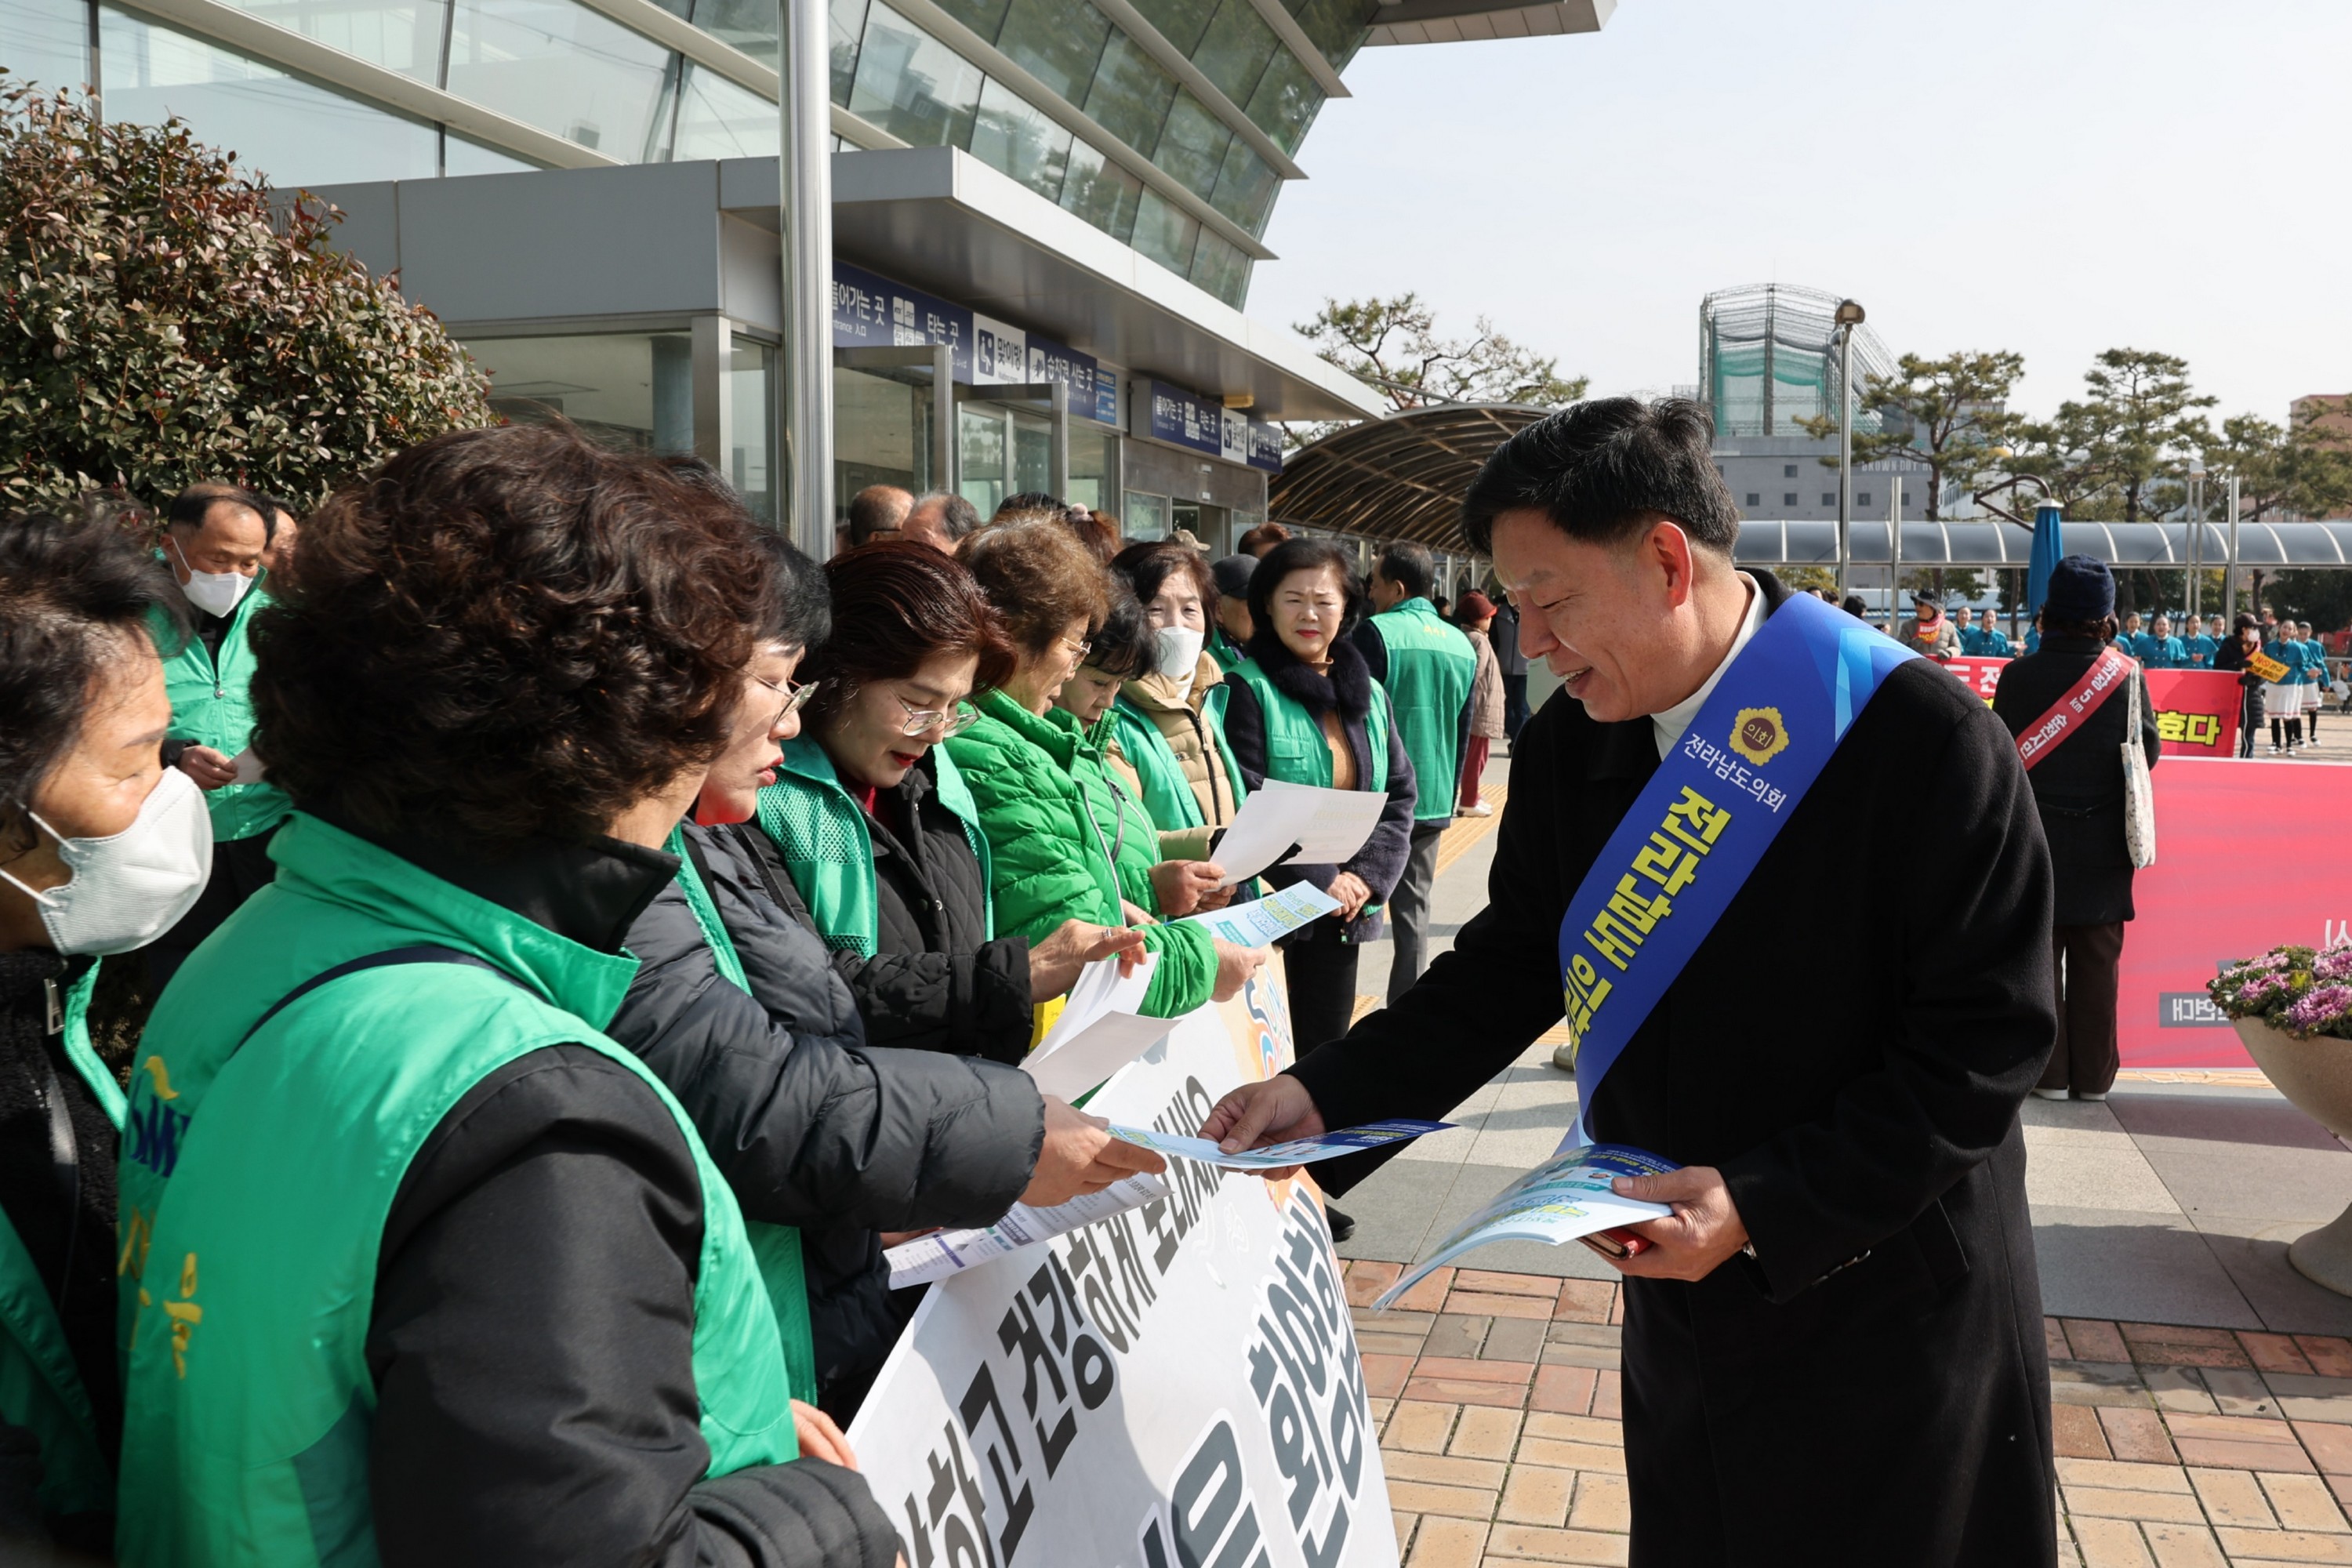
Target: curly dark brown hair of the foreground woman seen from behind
x,y
507,634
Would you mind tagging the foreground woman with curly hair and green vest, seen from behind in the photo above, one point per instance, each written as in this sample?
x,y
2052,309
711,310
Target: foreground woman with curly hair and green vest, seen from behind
x,y
417,1264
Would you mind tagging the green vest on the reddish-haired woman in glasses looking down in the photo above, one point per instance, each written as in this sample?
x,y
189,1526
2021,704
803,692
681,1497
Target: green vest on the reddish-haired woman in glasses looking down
x,y
829,850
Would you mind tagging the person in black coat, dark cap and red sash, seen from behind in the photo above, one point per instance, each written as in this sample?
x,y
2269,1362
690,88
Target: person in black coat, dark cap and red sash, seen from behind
x,y
2080,793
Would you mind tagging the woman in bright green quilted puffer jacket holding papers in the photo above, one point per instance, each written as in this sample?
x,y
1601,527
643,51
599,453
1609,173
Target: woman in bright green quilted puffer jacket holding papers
x,y
1055,838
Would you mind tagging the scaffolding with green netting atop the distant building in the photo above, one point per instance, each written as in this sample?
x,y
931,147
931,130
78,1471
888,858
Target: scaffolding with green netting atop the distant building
x,y
1768,359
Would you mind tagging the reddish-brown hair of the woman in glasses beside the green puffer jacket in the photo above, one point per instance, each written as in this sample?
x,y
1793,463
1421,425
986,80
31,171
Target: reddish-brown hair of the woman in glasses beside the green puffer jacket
x,y
897,605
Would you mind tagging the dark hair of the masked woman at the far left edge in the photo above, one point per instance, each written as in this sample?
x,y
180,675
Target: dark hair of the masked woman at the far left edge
x,y
74,594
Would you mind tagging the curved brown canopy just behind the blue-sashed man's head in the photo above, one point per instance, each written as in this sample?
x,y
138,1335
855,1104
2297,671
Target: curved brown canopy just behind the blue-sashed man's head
x,y
1396,478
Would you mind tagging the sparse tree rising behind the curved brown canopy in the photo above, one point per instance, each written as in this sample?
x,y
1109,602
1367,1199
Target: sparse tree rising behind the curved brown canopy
x,y
1394,344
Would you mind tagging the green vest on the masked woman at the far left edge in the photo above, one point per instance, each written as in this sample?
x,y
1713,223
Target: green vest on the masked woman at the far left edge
x,y
41,1388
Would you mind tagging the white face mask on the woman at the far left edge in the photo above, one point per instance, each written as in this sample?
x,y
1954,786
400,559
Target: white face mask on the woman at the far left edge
x,y
133,887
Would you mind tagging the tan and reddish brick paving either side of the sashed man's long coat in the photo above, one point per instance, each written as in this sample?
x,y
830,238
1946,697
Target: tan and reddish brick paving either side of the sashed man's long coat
x,y
2177,1447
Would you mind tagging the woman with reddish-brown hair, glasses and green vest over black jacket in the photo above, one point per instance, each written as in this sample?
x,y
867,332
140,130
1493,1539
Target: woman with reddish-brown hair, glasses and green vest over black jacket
x,y
876,833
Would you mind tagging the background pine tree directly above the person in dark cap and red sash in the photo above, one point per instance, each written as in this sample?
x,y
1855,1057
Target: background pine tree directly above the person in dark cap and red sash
x,y
2113,455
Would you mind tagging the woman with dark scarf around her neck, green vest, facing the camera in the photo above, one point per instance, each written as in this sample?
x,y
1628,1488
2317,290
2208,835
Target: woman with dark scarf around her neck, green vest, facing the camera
x,y
1307,711
